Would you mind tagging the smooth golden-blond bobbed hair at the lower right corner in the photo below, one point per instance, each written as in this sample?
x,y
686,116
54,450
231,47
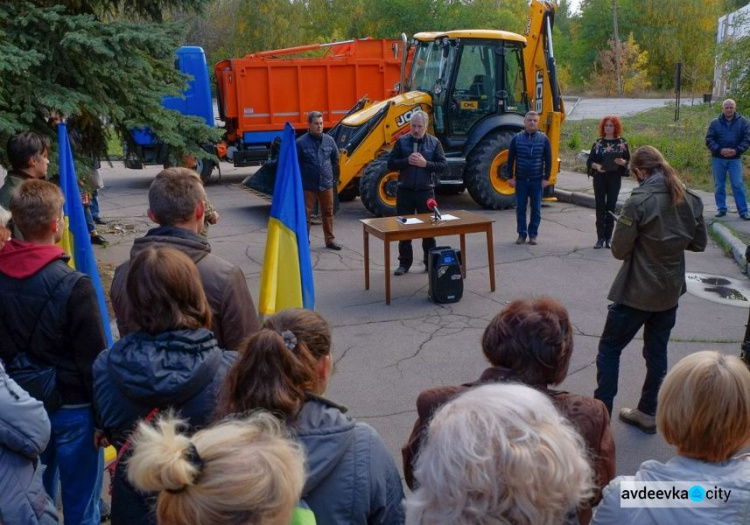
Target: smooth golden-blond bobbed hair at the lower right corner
x,y
704,406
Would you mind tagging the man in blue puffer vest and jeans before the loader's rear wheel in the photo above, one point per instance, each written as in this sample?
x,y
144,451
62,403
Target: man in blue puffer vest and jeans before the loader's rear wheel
x,y
530,162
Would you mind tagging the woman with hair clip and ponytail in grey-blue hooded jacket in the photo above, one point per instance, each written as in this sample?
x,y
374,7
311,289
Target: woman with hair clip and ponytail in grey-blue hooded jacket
x,y
285,369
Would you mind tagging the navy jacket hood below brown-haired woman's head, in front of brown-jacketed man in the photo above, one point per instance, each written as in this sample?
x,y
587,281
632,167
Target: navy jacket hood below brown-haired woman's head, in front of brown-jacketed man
x,y
166,368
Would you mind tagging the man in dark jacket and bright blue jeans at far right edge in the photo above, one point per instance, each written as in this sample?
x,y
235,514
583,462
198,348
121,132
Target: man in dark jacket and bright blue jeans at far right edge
x,y
728,138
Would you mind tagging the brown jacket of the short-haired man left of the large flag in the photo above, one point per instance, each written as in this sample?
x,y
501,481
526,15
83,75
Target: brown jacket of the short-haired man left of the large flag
x,y
232,306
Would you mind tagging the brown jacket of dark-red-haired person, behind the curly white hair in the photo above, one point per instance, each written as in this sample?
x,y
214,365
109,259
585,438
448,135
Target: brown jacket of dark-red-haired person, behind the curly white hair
x,y
587,414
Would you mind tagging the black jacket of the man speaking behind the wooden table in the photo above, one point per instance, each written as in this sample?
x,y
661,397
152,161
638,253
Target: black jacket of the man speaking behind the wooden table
x,y
413,177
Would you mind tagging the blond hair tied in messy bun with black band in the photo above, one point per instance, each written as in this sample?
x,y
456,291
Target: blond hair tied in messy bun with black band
x,y
238,471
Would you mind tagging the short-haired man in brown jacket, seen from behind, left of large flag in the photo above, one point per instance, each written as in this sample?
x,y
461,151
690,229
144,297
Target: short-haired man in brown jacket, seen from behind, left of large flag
x,y
177,204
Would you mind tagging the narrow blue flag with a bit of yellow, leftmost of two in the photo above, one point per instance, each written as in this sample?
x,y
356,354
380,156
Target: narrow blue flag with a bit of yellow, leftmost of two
x,y
76,240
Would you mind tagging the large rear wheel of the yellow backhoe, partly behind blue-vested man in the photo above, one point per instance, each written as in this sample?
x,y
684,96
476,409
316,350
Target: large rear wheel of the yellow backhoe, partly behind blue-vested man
x,y
482,173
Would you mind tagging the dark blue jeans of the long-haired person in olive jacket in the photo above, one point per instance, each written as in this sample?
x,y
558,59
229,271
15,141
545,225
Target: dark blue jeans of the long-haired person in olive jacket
x,y
623,322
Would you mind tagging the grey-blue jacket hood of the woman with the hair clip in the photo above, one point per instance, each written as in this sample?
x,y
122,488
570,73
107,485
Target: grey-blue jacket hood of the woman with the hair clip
x,y
327,434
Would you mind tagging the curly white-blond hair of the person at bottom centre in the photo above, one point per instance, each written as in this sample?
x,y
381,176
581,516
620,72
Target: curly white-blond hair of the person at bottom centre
x,y
499,453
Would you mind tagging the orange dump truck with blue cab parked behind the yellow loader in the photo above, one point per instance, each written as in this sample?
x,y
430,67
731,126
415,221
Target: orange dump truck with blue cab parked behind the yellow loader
x,y
258,93
